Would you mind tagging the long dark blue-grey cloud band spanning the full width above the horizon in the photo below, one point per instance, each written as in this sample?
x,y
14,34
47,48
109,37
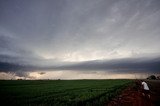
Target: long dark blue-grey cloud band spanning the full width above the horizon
x,y
127,65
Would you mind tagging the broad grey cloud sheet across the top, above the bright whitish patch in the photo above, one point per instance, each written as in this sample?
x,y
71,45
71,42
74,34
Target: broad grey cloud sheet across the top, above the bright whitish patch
x,y
60,26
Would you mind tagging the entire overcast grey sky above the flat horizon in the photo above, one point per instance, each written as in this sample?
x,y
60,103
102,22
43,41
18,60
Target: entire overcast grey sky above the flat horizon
x,y
119,36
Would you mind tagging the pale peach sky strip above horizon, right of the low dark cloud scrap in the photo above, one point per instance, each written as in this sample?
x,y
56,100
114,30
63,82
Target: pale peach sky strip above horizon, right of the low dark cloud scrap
x,y
69,74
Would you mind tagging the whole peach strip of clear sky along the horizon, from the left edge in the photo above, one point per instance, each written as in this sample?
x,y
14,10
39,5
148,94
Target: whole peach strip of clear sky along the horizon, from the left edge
x,y
71,74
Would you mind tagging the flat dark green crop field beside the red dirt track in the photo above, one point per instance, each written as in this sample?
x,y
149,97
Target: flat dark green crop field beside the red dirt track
x,y
59,92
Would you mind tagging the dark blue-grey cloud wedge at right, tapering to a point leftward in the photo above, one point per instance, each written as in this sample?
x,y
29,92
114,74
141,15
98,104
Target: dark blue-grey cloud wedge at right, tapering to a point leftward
x,y
128,65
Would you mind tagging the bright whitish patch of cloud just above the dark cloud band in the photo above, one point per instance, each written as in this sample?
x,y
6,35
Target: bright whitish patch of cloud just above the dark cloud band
x,y
81,56
